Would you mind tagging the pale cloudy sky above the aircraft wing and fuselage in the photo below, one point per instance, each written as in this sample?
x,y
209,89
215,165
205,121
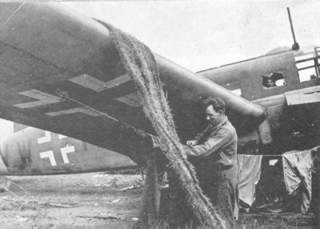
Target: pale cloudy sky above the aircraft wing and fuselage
x,y
201,34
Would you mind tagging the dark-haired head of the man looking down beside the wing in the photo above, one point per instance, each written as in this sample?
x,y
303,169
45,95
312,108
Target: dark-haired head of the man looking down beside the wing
x,y
214,110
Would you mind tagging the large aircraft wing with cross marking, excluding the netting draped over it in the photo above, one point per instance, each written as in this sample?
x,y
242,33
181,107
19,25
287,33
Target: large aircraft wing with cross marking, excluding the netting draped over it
x,y
60,72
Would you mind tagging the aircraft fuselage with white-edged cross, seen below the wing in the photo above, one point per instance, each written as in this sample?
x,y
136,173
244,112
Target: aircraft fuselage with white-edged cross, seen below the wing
x,y
32,151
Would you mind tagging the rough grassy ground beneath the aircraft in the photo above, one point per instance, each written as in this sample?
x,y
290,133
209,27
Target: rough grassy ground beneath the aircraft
x,y
97,200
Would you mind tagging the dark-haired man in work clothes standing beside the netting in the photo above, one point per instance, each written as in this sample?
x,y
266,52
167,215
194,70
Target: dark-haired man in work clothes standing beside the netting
x,y
214,154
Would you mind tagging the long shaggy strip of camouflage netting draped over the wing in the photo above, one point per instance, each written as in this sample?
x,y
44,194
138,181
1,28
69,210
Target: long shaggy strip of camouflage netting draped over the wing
x,y
140,63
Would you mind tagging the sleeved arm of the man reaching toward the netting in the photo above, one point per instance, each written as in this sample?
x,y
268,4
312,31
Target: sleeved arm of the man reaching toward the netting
x,y
211,145
